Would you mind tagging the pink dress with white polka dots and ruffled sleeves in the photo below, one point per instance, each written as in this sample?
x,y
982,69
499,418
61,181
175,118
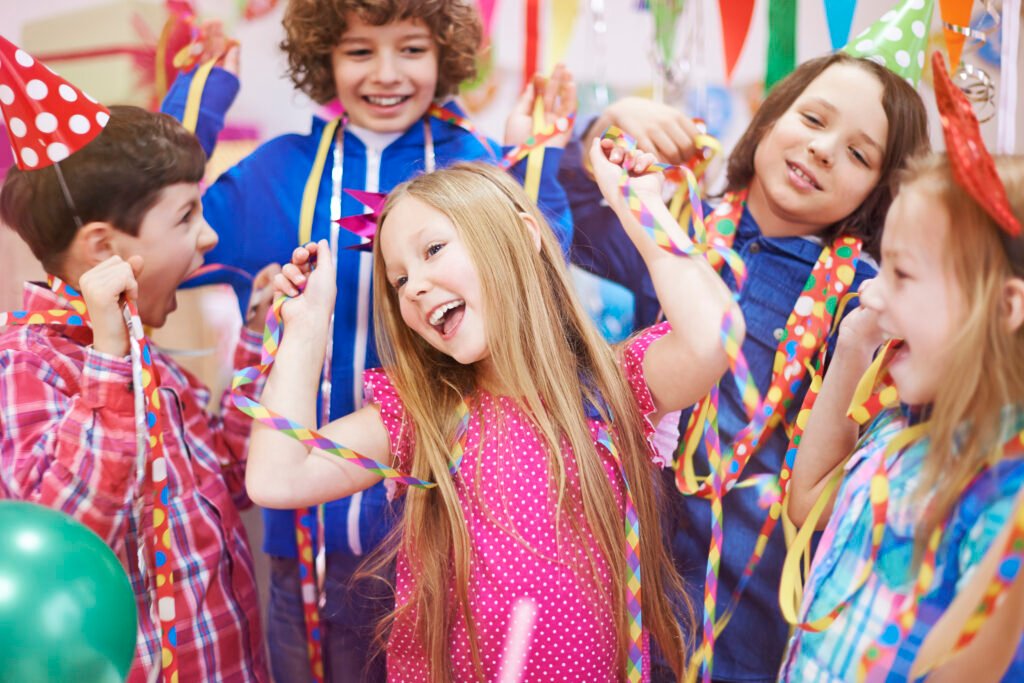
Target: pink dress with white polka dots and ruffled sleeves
x,y
519,554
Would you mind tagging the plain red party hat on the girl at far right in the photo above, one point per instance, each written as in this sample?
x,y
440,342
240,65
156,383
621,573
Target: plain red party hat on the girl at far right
x,y
973,167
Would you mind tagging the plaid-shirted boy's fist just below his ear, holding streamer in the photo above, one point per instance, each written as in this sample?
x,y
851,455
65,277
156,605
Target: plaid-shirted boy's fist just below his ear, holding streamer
x,y
103,288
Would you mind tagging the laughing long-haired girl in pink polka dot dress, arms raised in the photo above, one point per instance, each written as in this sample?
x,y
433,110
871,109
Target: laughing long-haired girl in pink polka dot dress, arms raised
x,y
474,304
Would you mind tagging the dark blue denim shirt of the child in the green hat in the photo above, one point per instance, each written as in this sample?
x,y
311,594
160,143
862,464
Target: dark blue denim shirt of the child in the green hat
x,y
752,648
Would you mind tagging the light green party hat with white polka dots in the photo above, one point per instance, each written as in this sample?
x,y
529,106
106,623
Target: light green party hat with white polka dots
x,y
899,39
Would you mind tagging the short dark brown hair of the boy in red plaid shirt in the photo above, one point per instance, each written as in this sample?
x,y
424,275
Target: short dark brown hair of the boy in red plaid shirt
x,y
116,179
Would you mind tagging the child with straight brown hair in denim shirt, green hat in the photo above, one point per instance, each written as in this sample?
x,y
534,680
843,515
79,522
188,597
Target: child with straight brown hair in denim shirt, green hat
x,y
815,165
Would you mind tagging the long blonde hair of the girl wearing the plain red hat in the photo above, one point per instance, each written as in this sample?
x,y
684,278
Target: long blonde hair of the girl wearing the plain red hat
x,y
986,374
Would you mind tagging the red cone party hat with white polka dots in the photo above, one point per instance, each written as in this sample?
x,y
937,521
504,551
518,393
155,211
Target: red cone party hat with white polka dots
x,y
49,119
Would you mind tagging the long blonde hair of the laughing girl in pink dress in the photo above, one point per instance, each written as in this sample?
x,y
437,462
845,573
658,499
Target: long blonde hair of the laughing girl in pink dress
x,y
548,355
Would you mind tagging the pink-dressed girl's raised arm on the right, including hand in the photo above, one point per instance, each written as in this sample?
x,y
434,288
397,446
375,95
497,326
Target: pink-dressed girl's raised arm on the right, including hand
x,y
682,366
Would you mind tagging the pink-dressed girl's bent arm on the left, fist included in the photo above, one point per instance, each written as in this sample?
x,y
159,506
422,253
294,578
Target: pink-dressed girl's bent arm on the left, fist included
x,y
282,473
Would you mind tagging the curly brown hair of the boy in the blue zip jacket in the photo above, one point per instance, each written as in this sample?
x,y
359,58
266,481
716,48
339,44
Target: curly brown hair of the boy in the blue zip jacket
x,y
314,29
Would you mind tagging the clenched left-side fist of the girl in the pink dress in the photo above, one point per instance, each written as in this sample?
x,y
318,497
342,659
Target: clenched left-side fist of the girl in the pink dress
x,y
310,280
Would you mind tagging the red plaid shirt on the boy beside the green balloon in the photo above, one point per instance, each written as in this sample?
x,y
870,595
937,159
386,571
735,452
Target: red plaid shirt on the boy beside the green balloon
x,y
68,442
